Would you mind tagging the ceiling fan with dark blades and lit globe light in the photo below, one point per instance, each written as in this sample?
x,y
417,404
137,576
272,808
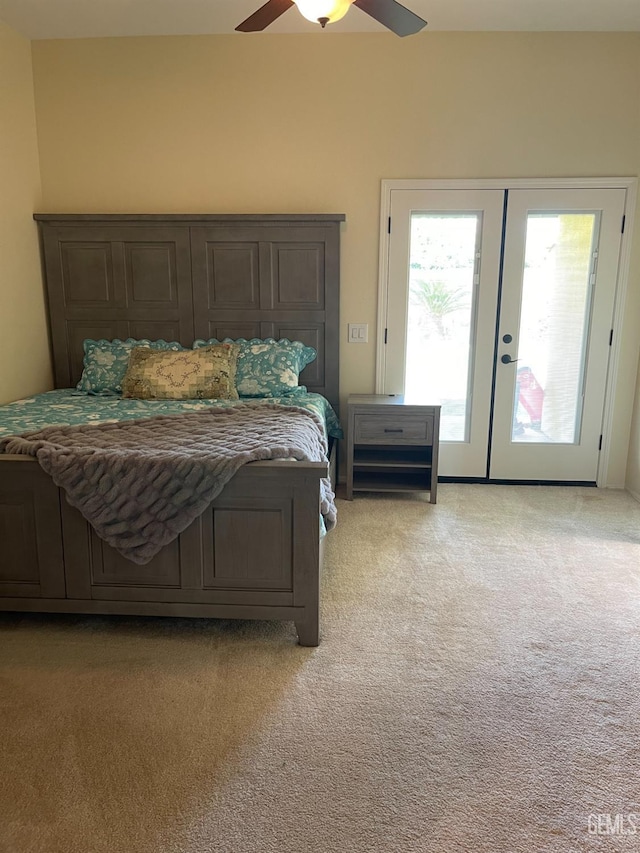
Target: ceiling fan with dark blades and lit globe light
x,y
389,13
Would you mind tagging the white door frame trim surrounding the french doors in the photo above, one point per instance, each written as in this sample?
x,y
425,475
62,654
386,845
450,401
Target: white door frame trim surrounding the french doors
x,y
629,184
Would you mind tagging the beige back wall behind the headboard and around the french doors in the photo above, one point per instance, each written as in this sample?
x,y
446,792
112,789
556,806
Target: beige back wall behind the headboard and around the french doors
x,y
312,123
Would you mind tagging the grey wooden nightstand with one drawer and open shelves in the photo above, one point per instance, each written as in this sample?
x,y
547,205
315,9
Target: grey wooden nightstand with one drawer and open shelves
x,y
392,446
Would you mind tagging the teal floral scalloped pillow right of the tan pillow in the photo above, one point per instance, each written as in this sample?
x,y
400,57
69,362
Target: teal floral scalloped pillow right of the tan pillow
x,y
268,368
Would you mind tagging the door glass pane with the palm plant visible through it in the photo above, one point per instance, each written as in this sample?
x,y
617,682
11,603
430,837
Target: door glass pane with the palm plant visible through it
x,y
441,315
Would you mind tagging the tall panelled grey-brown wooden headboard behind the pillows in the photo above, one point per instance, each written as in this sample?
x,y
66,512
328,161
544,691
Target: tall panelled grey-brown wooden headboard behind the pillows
x,y
182,277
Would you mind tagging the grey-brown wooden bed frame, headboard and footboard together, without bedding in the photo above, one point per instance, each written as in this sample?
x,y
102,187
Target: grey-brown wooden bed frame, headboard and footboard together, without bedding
x,y
256,552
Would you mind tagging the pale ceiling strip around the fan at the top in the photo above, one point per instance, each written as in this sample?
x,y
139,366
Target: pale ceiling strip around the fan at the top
x,y
43,19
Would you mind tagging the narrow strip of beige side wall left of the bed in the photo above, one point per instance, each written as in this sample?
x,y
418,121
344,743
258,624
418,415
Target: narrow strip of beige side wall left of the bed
x,y
24,350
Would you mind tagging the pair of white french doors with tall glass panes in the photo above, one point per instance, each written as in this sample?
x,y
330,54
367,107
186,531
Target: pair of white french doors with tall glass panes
x,y
499,307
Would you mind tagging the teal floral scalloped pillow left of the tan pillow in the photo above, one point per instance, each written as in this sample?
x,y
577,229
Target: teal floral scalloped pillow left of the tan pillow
x,y
106,362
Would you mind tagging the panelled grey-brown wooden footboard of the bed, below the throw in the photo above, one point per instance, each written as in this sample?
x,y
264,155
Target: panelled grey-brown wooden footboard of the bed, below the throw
x,y
254,554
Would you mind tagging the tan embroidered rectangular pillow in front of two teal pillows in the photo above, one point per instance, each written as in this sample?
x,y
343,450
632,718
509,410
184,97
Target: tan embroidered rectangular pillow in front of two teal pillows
x,y
203,374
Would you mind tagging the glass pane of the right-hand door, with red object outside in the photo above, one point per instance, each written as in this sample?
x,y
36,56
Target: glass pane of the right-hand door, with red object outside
x,y
554,325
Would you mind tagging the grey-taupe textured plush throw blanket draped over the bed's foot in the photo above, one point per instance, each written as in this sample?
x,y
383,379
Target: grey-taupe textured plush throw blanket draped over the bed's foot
x,y
141,483
